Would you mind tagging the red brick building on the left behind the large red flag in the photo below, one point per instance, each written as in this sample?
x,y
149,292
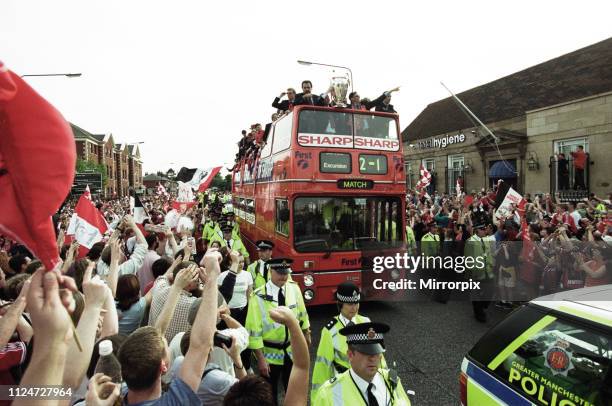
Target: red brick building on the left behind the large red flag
x,y
122,162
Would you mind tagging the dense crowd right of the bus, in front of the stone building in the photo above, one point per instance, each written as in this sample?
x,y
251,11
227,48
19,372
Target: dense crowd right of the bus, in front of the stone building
x,y
544,247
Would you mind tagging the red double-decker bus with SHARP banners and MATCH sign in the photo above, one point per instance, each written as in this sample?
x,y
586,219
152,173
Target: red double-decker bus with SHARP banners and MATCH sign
x,y
329,190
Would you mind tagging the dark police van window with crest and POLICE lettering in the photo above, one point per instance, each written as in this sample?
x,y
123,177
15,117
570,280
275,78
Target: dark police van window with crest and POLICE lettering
x,y
565,360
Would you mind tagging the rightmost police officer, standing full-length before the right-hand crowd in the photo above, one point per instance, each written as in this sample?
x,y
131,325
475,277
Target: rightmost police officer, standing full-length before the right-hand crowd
x,y
479,248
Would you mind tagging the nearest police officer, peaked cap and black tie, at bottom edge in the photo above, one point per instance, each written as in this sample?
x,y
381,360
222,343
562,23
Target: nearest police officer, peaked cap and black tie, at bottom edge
x,y
365,383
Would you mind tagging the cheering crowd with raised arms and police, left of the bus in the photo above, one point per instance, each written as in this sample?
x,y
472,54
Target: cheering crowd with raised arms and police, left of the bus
x,y
189,317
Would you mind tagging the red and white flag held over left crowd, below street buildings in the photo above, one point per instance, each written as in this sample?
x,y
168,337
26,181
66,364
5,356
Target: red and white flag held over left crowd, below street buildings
x,y
87,223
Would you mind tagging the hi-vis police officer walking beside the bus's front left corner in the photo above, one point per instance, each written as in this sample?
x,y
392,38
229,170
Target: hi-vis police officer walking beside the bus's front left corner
x,y
269,340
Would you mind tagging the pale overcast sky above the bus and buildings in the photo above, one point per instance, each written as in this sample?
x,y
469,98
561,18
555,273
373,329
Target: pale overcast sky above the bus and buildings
x,y
185,77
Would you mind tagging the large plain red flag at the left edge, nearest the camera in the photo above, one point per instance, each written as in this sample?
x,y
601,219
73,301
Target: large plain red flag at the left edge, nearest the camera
x,y
37,164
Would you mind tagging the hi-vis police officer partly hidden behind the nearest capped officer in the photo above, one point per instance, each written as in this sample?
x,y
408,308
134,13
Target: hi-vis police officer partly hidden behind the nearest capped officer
x,y
331,355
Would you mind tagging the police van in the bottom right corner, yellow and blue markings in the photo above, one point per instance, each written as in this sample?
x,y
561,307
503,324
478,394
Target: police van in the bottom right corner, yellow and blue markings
x,y
554,351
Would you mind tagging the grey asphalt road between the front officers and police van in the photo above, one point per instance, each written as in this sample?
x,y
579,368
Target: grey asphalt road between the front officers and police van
x,y
428,341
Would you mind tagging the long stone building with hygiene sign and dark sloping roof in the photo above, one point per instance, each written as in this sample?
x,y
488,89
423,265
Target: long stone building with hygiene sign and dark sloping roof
x,y
534,115
